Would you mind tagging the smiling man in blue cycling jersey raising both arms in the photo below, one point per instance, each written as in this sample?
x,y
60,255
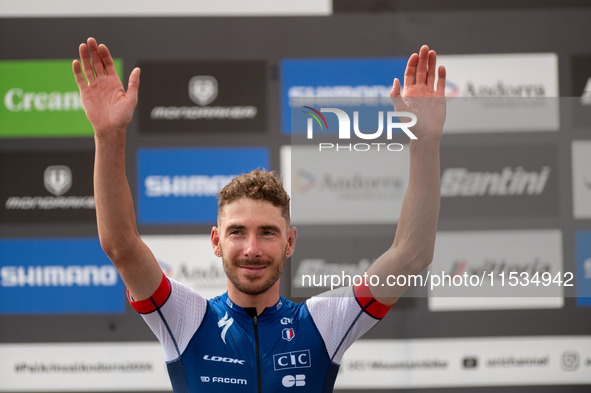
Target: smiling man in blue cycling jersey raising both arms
x,y
251,339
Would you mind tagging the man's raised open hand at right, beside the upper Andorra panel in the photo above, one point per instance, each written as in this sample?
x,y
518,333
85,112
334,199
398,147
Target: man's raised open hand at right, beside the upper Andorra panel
x,y
419,95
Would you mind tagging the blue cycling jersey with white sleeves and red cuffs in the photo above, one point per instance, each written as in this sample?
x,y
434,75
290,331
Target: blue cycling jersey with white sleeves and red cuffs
x,y
217,345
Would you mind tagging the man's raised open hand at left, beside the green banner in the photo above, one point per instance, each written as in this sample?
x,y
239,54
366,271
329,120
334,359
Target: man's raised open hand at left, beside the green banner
x,y
108,107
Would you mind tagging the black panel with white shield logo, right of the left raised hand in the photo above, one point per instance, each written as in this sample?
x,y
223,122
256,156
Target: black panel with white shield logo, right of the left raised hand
x,y
201,97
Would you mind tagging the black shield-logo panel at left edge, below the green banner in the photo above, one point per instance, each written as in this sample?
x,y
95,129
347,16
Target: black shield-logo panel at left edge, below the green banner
x,y
42,186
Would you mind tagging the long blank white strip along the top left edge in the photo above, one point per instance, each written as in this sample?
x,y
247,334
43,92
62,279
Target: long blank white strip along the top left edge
x,y
110,8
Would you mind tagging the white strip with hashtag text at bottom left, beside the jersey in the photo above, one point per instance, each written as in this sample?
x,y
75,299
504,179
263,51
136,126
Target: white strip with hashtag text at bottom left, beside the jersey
x,y
83,367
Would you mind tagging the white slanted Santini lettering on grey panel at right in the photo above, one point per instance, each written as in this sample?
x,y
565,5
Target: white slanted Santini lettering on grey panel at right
x,y
459,182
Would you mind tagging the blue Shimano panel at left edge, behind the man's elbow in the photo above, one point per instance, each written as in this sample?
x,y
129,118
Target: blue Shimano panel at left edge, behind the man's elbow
x,y
58,276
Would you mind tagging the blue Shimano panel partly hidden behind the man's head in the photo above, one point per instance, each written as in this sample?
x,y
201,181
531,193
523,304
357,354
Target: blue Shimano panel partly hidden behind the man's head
x,y
180,186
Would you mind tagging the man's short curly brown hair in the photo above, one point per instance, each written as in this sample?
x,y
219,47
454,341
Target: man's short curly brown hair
x,y
258,185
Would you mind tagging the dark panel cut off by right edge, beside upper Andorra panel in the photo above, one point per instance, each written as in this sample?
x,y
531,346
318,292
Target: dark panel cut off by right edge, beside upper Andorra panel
x,y
581,88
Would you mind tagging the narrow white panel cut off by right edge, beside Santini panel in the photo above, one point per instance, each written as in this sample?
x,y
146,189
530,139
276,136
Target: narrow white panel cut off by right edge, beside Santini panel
x,y
581,161
